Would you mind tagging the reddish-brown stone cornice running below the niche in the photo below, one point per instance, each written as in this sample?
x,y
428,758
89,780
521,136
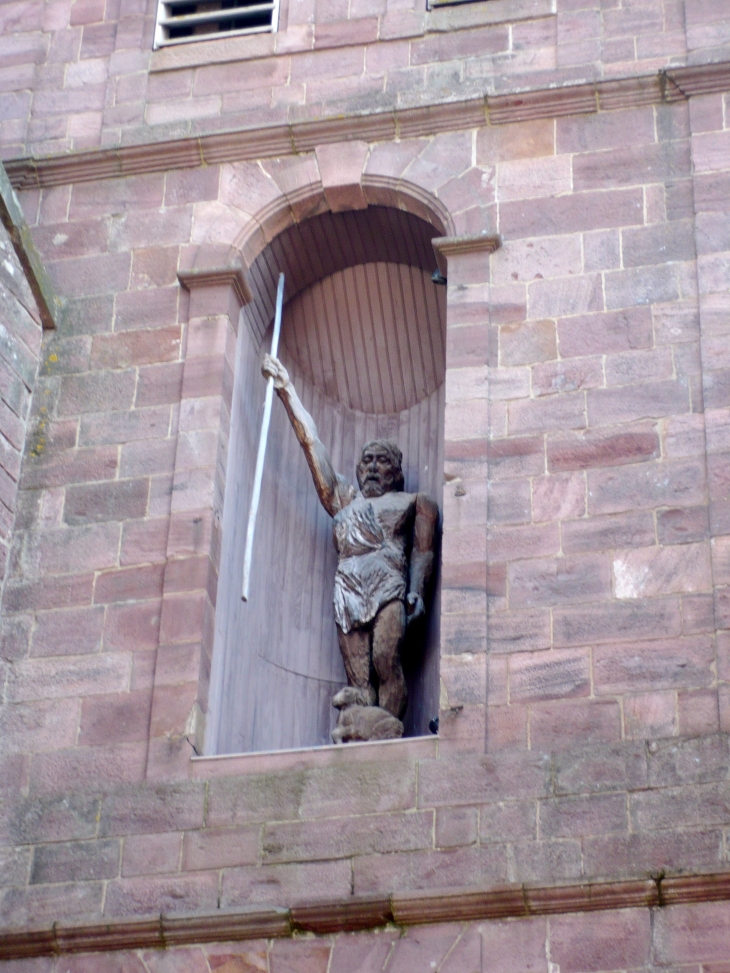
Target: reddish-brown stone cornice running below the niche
x,y
364,912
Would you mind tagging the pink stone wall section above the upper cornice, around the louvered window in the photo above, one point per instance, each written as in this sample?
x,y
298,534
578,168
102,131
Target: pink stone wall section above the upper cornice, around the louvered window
x,y
82,74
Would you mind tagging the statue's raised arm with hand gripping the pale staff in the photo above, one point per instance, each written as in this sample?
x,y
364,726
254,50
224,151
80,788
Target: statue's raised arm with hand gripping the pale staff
x,y
332,489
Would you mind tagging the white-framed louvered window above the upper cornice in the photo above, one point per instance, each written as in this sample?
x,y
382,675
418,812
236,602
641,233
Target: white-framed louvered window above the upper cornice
x,y
180,21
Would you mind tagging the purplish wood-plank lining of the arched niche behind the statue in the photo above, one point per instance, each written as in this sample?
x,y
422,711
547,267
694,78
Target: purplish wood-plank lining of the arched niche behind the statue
x,y
363,338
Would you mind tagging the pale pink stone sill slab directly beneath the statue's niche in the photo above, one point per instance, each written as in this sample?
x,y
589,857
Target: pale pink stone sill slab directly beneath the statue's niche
x,y
275,761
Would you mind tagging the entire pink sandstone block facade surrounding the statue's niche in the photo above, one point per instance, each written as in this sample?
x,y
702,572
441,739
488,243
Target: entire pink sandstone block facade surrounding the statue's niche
x,y
585,627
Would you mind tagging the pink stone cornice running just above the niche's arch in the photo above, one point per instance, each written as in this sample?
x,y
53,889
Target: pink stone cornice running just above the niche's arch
x,y
672,84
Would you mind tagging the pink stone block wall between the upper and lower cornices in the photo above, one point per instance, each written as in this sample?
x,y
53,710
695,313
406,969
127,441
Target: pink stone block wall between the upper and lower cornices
x,y
575,368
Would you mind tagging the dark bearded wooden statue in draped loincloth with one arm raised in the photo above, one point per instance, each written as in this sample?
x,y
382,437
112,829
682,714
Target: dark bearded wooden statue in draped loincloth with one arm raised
x,y
385,547
